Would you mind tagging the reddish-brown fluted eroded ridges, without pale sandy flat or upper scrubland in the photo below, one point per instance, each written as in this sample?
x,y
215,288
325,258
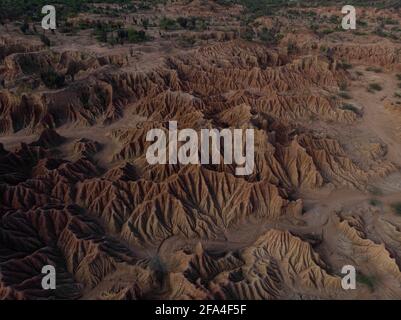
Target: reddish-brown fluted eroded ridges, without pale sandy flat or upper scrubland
x,y
79,193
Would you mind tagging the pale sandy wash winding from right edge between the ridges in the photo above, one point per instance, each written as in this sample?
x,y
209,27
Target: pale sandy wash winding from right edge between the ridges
x,y
376,126
